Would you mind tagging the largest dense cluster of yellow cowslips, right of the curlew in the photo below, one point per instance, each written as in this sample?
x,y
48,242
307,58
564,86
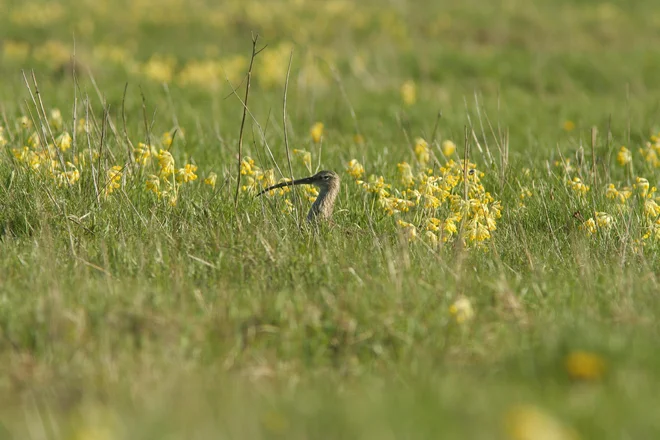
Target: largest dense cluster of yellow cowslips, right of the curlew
x,y
436,200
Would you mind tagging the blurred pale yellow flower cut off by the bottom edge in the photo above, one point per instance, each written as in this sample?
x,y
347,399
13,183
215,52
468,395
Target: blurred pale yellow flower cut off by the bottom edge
x,y
530,423
